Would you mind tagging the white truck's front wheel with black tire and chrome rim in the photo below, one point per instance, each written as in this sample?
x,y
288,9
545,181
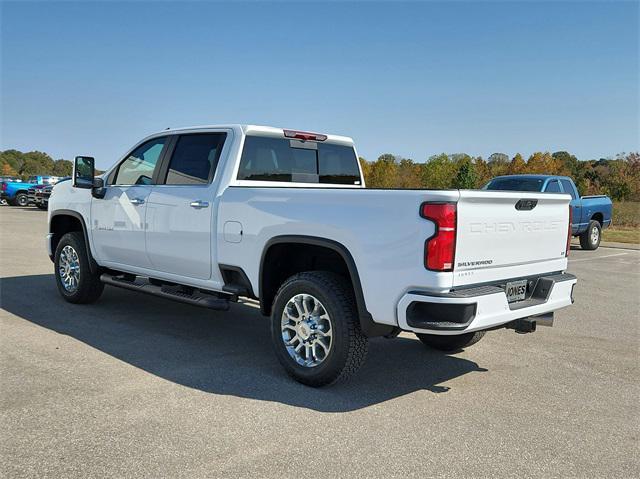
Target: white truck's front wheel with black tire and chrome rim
x,y
76,283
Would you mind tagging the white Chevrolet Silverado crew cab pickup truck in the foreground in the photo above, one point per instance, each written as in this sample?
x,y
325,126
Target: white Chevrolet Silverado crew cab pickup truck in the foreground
x,y
206,215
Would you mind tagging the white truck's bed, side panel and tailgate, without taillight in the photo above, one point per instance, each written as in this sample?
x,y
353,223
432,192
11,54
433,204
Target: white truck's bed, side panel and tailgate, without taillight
x,y
385,234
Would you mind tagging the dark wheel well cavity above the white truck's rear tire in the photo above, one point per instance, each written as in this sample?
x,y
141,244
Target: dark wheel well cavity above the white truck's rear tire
x,y
283,260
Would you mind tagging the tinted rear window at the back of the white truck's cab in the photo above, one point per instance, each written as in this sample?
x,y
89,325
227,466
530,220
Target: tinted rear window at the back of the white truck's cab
x,y
280,159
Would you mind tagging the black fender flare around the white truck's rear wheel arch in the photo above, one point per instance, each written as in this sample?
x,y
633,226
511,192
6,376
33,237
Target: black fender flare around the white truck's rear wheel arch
x,y
368,326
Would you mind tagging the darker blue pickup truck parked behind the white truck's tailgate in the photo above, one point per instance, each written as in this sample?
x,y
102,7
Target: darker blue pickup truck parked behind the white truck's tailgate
x,y
590,214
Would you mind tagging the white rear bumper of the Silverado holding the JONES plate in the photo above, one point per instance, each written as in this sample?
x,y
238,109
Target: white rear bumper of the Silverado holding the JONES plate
x,y
479,308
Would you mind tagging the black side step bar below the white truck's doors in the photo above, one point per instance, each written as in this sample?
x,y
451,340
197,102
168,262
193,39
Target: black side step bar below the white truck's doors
x,y
182,294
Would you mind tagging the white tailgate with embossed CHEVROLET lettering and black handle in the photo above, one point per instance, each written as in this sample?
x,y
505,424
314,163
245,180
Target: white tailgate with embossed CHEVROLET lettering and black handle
x,y
502,235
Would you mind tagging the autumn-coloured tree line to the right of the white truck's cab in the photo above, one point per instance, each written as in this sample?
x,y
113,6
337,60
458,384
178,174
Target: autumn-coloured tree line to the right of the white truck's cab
x,y
618,177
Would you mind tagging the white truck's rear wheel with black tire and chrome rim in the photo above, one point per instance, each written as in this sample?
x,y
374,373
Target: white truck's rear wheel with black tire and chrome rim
x,y
315,329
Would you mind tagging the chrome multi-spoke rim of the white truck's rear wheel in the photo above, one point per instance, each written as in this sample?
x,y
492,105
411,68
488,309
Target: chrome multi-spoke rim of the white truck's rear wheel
x,y
306,330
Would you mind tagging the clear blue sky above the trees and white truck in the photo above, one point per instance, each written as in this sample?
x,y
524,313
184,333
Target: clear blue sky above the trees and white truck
x,y
414,79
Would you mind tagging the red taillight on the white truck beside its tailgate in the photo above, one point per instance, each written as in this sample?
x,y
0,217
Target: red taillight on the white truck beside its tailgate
x,y
440,249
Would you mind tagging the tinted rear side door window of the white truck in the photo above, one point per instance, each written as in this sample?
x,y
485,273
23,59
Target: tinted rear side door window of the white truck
x,y
195,159
